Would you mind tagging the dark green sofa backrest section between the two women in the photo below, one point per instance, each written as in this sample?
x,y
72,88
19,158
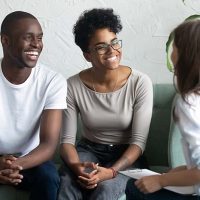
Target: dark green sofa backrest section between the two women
x,y
157,144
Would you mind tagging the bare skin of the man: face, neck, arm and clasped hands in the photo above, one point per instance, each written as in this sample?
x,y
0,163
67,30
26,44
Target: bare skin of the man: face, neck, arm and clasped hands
x,y
21,49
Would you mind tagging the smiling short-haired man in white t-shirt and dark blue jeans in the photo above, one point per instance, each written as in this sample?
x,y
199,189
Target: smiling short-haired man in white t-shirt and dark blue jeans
x,y
31,101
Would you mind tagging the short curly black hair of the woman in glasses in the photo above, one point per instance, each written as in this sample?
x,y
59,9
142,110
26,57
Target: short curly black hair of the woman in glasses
x,y
90,21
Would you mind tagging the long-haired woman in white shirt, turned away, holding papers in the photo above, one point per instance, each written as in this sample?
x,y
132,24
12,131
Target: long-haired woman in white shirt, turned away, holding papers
x,y
186,59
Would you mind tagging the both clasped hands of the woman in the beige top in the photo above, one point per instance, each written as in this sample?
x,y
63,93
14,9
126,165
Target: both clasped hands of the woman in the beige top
x,y
90,174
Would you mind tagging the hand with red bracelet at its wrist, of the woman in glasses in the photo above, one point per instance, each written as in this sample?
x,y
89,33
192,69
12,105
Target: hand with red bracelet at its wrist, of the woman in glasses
x,y
96,176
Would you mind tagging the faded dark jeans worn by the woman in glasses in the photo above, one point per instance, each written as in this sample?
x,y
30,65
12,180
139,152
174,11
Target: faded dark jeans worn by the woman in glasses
x,y
105,155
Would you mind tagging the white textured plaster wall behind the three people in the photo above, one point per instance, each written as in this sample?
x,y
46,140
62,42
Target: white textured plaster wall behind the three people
x,y
146,26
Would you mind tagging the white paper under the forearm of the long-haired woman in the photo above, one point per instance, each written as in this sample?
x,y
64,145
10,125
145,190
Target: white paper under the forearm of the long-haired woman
x,y
139,173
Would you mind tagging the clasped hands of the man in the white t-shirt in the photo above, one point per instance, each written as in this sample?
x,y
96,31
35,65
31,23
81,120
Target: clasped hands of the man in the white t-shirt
x,y
9,171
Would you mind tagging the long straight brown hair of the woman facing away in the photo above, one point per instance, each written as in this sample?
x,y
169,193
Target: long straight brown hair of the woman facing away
x,y
187,68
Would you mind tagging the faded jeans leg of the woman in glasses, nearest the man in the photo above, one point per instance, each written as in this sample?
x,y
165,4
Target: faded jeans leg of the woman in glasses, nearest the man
x,y
69,188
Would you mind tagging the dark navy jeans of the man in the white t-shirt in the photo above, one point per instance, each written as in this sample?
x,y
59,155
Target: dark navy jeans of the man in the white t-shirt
x,y
42,181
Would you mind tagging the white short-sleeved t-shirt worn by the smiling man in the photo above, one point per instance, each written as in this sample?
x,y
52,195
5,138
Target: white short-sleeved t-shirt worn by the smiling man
x,y
21,107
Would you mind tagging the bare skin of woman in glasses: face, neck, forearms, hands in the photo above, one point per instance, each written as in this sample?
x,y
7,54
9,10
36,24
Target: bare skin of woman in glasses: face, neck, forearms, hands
x,y
107,66
